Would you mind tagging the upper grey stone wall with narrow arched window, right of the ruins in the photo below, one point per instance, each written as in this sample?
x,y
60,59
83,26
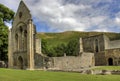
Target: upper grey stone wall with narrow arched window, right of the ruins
x,y
89,44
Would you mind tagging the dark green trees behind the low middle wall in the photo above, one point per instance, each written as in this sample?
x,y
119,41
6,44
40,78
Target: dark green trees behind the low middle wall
x,y
70,49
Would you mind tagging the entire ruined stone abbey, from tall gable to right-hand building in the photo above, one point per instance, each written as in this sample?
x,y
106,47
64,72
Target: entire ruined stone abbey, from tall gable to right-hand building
x,y
25,48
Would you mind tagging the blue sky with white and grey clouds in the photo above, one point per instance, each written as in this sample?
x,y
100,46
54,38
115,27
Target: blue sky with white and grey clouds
x,y
72,15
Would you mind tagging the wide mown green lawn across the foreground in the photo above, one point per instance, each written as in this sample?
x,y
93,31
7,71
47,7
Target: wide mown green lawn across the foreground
x,y
23,75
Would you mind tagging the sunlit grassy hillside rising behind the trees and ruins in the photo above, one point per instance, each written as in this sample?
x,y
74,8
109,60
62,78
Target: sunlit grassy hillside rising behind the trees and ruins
x,y
54,39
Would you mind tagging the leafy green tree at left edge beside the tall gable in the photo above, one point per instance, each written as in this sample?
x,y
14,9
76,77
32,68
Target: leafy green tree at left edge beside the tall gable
x,y
6,15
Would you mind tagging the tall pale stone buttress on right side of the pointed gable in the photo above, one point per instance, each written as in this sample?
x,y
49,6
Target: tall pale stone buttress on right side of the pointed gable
x,y
30,45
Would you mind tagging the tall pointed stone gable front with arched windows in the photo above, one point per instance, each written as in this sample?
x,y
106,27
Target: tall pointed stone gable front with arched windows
x,y
21,40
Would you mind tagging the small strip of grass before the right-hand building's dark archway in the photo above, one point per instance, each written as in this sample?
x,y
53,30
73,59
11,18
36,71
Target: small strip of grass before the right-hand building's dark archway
x,y
107,68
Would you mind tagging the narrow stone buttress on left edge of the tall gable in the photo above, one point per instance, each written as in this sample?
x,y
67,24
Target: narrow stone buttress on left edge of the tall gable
x,y
10,54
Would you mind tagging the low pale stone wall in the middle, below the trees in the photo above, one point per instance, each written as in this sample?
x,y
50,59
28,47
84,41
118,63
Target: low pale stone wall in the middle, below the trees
x,y
72,62
